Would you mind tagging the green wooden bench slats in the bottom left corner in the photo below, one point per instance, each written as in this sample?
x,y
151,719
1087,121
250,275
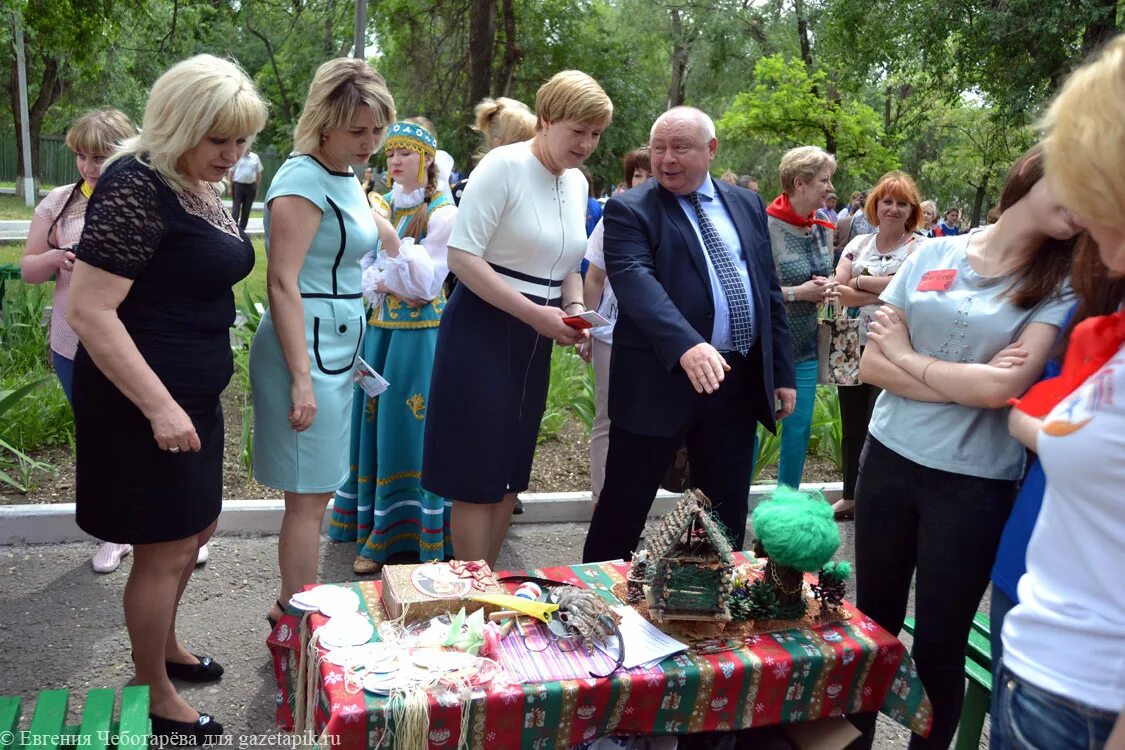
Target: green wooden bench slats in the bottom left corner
x,y
98,731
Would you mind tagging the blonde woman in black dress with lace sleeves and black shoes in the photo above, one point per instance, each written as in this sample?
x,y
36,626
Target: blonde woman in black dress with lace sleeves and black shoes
x,y
151,301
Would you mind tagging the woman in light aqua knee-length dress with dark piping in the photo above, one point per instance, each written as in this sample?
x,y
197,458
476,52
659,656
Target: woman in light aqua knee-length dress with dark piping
x,y
318,228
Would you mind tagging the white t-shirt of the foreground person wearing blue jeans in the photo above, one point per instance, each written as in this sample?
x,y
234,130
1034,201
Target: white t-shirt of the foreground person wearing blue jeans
x,y
1067,635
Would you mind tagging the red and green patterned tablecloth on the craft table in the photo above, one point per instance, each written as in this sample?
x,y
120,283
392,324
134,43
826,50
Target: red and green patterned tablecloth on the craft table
x,y
790,676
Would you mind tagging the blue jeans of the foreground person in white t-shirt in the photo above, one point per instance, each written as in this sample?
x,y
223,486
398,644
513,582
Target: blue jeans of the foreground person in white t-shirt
x,y
1033,719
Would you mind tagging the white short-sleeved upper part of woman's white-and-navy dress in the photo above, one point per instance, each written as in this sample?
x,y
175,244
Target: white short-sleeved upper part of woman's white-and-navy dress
x,y
527,223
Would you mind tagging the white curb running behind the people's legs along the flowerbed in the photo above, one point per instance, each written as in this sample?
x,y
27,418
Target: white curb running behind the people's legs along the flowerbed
x,y
55,525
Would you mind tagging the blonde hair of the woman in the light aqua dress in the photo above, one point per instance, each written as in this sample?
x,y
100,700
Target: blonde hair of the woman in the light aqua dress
x,y
338,91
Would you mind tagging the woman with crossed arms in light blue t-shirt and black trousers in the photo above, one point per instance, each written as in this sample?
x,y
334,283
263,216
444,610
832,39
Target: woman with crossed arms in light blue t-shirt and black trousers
x,y
968,324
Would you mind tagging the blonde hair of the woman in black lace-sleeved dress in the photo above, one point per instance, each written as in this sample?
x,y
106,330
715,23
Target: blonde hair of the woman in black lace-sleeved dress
x,y
200,96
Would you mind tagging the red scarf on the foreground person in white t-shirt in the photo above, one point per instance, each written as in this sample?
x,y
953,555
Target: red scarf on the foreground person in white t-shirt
x,y
1093,342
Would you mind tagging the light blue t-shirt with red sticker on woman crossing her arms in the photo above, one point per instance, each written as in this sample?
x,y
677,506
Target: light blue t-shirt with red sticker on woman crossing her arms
x,y
971,322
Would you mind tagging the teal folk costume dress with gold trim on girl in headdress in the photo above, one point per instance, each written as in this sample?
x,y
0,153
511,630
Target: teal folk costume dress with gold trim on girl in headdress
x,y
383,508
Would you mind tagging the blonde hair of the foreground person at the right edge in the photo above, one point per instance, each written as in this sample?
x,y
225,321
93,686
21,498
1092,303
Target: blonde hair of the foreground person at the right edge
x,y
1085,144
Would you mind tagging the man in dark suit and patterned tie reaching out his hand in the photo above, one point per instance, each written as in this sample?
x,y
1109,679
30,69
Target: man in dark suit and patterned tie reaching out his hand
x,y
701,348
